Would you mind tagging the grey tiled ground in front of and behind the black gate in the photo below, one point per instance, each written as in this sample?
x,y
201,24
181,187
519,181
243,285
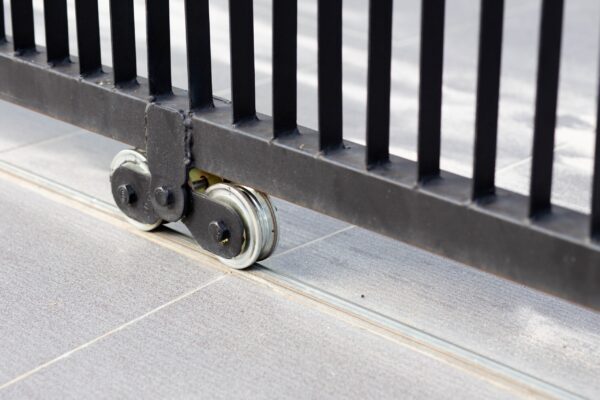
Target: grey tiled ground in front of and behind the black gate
x,y
92,308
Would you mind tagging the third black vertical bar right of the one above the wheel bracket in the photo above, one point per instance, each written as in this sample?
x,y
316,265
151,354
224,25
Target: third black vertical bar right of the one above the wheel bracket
x,y
285,45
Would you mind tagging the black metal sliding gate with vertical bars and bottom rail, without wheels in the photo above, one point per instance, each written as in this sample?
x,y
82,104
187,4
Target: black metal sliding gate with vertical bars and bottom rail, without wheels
x,y
526,239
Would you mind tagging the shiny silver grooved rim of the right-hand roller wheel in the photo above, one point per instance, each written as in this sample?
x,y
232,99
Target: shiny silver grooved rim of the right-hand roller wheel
x,y
258,216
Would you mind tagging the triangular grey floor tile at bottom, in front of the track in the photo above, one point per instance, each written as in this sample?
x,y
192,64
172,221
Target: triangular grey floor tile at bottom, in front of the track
x,y
235,339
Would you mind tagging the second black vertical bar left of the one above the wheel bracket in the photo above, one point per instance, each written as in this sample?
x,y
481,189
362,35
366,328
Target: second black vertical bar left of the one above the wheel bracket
x,y
88,36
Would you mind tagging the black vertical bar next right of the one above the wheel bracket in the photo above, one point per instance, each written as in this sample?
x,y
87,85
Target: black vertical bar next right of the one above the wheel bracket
x,y
197,24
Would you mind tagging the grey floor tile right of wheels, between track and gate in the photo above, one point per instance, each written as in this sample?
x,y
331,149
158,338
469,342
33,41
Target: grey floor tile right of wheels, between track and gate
x,y
530,331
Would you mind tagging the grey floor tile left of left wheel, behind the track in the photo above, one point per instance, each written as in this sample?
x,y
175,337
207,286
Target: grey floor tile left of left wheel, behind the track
x,y
80,161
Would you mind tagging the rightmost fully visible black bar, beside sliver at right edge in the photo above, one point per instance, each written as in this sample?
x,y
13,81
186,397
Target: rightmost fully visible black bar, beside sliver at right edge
x,y
545,106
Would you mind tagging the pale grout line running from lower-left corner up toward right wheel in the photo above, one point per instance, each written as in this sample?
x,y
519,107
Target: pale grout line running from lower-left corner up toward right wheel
x,y
109,333
